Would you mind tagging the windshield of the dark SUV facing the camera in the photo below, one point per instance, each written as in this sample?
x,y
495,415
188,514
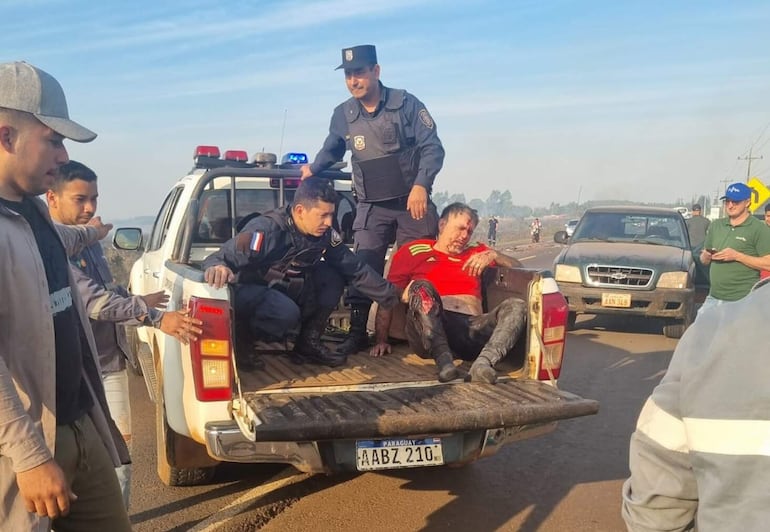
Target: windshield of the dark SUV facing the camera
x,y
664,229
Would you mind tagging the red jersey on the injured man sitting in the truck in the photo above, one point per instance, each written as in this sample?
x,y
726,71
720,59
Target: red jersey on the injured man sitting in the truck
x,y
417,260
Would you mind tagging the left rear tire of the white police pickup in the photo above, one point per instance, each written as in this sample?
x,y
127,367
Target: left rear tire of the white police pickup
x,y
174,449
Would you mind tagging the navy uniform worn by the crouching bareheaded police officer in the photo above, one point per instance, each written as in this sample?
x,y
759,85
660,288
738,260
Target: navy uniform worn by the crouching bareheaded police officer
x,y
285,278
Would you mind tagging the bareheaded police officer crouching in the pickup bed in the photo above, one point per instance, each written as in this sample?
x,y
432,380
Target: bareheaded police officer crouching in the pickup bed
x,y
280,280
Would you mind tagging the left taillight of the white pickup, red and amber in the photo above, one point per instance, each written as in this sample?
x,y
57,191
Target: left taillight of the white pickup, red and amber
x,y
211,360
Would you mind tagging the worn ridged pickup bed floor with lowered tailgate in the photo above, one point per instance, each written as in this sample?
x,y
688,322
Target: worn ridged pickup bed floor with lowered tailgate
x,y
394,395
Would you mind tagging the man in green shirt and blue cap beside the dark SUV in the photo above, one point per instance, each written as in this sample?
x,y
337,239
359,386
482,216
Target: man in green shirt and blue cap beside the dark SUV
x,y
737,247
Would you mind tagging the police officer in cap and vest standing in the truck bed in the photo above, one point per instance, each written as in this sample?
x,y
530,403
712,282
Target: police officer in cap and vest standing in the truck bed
x,y
396,154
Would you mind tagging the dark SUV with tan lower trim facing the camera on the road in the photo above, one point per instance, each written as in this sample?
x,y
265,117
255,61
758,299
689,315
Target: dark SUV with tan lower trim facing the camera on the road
x,y
633,261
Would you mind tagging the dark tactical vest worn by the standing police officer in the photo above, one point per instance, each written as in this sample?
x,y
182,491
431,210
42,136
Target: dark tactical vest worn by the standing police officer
x,y
385,161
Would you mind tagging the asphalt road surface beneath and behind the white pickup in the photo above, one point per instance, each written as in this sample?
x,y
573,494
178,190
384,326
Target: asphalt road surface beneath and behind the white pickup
x,y
568,480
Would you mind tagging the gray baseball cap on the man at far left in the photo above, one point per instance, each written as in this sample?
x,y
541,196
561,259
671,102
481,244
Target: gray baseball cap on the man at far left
x,y
24,87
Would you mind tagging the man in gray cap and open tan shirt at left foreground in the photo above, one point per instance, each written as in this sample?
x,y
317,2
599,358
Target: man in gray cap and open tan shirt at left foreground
x,y
58,445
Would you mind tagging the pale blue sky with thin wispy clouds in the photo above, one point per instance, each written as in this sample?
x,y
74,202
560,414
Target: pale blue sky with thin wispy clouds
x,y
552,100
